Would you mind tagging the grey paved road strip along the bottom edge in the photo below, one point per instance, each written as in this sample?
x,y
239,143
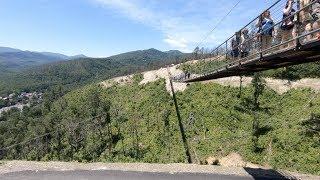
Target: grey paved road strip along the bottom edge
x,y
114,175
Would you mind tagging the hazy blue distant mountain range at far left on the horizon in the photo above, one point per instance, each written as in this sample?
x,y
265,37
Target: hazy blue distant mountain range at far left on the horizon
x,y
12,60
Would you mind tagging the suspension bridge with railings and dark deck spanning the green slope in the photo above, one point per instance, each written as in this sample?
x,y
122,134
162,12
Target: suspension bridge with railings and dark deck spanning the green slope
x,y
301,47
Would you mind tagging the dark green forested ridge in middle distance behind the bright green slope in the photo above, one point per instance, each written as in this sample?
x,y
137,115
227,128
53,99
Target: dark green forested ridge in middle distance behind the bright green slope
x,y
76,73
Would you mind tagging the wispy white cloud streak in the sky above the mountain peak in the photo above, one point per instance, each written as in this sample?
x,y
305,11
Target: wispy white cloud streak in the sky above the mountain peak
x,y
179,31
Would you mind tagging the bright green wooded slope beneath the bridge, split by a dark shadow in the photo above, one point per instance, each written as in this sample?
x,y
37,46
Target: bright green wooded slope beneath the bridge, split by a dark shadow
x,y
138,123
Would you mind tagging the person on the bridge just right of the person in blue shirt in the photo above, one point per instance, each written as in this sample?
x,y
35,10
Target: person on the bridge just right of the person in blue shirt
x,y
287,26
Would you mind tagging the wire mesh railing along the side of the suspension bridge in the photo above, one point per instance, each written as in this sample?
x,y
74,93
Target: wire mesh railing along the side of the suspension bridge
x,y
282,26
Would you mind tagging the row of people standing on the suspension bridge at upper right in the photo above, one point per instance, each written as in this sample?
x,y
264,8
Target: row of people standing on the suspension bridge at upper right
x,y
308,19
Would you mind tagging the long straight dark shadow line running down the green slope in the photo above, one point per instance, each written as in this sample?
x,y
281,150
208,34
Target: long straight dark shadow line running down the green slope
x,y
184,139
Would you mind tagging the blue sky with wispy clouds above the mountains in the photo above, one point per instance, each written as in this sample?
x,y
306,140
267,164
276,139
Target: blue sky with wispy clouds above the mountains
x,y
100,28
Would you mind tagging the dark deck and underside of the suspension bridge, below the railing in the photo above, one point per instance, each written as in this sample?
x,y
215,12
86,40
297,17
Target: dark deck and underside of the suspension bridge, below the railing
x,y
306,53
